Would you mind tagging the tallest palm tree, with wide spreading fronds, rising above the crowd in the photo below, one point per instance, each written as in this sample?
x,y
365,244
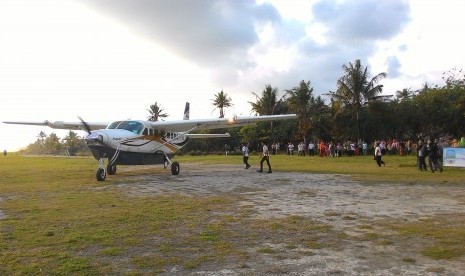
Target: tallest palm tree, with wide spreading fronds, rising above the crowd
x,y
355,90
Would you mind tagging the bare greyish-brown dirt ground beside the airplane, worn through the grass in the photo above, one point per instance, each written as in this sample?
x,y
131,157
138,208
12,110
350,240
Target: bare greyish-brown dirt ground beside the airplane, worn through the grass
x,y
329,199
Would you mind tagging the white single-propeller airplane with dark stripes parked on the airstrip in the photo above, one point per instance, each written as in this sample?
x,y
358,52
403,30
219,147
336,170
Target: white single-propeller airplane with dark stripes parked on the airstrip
x,y
138,142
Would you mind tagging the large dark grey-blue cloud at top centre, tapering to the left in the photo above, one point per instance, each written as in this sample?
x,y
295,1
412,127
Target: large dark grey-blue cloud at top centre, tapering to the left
x,y
204,31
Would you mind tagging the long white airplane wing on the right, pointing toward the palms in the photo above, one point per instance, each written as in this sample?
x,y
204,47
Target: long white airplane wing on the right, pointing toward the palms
x,y
203,124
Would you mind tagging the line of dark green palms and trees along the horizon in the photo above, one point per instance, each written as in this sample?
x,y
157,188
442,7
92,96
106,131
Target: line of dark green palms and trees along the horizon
x,y
356,111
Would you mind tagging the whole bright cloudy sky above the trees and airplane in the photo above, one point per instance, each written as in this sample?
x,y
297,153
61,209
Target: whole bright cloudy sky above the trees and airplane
x,y
108,60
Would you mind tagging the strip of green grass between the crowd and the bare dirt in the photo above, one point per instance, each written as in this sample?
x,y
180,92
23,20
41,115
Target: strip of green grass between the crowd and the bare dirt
x,y
398,169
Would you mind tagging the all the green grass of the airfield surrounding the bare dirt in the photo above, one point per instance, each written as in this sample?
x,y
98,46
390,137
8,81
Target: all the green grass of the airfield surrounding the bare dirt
x,y
56,219
